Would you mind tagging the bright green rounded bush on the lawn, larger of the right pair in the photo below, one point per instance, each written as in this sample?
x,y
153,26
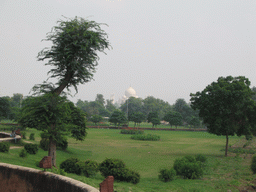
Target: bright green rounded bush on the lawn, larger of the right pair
x,y
188,167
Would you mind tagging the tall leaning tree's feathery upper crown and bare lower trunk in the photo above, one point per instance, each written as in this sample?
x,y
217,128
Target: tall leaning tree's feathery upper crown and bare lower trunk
x,y
73,56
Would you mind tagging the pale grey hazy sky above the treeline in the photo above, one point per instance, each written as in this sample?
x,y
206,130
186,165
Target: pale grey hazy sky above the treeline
x,y
167,48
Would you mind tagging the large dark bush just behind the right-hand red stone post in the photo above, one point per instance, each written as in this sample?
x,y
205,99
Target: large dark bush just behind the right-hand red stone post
x,y
116,168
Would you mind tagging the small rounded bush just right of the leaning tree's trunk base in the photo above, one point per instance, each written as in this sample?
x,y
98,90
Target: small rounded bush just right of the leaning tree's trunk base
x,y
70,166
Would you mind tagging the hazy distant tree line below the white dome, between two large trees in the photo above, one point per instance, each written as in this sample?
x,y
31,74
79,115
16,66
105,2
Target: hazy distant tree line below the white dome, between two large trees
x,y
138,110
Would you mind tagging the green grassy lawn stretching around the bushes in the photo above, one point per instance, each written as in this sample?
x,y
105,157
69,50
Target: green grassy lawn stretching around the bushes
x,y
148,157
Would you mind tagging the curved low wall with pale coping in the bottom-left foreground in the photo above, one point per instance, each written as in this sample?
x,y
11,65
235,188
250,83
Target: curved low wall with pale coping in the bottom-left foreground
x,y
24,179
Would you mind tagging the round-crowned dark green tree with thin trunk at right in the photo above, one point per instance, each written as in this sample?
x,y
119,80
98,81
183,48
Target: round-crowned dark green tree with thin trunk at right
x,y
226,107
